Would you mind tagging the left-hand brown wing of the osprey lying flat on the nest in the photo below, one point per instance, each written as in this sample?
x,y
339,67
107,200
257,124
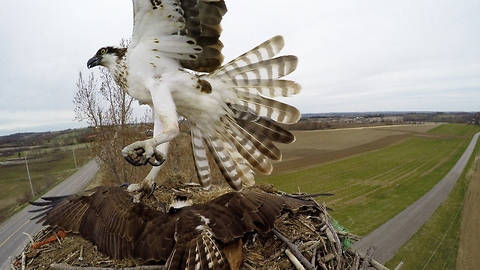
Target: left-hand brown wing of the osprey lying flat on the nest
x,y
105,216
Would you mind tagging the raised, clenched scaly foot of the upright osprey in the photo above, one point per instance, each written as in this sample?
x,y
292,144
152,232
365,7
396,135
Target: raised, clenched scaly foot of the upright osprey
x,y
140,153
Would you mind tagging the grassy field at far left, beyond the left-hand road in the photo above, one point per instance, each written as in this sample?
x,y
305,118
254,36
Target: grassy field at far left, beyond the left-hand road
x,y
52,157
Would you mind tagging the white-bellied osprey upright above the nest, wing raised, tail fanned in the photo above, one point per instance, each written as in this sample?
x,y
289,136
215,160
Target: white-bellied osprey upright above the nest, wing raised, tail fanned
x,y
173,64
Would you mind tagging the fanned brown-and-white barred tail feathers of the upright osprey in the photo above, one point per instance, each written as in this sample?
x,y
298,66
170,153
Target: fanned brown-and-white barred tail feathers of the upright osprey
x,y
243,139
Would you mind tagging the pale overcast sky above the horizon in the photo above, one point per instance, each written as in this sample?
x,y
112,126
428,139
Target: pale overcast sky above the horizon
x,y
363,55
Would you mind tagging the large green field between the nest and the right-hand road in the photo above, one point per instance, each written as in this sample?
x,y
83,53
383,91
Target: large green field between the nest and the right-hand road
x,y
372,186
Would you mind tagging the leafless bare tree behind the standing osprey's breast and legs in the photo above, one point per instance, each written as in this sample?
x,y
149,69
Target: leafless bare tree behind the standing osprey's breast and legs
x,y
109,110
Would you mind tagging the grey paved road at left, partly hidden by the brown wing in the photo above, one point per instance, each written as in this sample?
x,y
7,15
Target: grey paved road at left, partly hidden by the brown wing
x,y
12,239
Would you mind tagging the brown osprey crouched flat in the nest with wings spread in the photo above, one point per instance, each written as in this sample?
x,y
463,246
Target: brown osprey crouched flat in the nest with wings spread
x,y
201,236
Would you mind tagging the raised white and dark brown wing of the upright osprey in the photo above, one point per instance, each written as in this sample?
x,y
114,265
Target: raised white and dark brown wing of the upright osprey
x,y
185,30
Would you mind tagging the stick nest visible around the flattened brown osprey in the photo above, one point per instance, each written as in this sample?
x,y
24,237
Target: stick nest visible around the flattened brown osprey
x,y
307,239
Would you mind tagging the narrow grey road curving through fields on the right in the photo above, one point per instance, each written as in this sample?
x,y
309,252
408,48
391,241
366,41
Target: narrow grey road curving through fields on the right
x,y
391,236
